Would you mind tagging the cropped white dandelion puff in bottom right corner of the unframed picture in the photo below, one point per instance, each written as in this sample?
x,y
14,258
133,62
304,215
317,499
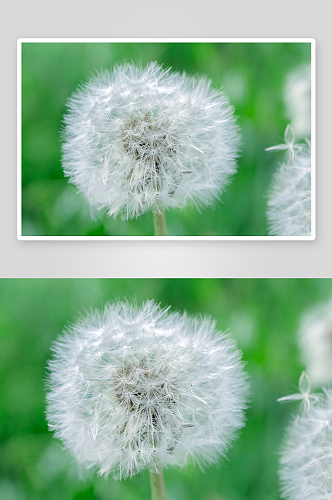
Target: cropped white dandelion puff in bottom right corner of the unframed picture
x,y
306,458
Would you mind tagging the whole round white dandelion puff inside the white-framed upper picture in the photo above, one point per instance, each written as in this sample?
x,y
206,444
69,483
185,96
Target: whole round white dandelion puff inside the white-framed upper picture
x,y
142,138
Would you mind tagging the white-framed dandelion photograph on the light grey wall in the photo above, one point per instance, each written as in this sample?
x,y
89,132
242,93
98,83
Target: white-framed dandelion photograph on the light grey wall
x,y
166,138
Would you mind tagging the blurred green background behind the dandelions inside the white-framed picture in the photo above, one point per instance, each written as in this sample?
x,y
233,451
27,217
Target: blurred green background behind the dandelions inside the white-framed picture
x,y
252,74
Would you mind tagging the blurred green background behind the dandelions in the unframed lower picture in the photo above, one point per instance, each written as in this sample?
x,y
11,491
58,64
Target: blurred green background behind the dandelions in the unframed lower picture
x,y
261,314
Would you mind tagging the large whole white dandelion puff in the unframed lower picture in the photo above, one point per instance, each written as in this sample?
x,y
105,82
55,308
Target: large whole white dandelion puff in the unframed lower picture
x,y
133,387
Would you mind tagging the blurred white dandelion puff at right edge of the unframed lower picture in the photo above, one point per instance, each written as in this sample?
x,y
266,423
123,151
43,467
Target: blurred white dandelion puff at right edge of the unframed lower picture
x,y
315,339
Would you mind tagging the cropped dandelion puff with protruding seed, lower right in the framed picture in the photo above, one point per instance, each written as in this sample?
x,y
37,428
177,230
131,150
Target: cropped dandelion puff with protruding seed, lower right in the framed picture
x,y
289,200
